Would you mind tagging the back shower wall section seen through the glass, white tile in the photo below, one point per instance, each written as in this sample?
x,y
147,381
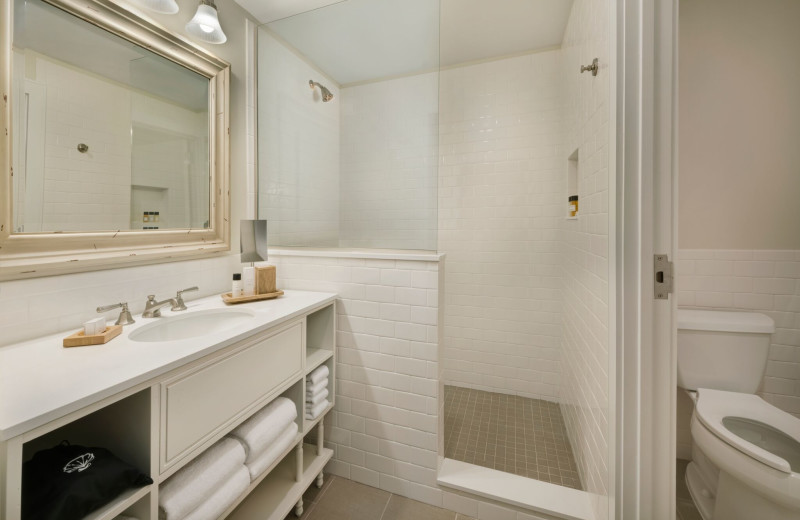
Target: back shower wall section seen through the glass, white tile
x,y
389,161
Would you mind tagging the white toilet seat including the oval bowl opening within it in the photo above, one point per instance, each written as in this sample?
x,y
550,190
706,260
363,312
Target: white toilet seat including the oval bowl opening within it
x,y
753,426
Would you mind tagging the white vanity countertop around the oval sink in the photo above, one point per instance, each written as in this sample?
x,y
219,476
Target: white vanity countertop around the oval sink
x,y
40,380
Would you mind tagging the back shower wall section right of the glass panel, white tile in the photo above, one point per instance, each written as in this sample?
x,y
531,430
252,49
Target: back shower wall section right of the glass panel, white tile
x,y
502,198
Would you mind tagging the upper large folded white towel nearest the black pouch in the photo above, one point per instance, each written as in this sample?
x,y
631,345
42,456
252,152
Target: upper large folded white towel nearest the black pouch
x,y
184,491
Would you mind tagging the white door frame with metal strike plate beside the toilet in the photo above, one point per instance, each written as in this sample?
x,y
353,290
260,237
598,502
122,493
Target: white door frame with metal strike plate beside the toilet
x,y
646,224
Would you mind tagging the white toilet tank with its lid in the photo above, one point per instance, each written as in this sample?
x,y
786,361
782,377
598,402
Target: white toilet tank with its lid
x,y
722,350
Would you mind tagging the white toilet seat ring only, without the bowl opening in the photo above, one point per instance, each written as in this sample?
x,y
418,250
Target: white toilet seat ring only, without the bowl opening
x,y
713,406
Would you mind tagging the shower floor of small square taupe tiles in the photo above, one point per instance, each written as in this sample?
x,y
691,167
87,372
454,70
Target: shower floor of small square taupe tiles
x,y
509,433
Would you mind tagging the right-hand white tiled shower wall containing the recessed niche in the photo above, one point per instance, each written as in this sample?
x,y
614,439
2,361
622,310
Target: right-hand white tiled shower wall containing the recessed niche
x,y
585,353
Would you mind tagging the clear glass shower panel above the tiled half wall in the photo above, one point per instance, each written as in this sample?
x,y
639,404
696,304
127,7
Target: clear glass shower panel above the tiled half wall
x,y
348,126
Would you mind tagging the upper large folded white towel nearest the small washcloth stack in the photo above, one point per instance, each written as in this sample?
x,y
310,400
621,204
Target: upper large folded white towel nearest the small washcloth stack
x,y
261,430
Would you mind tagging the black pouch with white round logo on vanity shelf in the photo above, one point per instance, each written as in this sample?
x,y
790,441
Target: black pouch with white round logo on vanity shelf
x,y
68,482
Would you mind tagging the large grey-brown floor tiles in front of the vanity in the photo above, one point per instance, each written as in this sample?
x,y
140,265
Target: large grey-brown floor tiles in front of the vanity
x,y
342,499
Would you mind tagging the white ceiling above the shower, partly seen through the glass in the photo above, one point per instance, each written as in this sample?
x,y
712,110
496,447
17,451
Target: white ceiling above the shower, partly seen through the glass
x,y
363,40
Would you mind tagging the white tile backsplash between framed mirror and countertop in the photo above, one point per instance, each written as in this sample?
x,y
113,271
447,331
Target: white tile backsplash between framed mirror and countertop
x,y
39,306
